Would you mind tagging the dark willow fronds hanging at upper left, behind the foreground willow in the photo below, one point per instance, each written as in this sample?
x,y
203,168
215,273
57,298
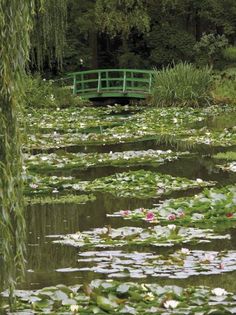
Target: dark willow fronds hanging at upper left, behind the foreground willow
x,y
48,35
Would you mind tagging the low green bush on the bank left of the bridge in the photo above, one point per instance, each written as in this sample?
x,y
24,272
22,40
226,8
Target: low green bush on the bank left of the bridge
x,y
41,93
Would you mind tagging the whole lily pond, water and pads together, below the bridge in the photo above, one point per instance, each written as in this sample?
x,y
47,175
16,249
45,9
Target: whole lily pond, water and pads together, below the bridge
x,y
142,196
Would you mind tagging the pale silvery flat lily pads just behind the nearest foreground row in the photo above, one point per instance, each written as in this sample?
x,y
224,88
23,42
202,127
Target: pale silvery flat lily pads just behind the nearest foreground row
x,y
181,264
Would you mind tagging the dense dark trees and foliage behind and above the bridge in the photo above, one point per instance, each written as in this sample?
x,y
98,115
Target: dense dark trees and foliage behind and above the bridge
x,y
165,31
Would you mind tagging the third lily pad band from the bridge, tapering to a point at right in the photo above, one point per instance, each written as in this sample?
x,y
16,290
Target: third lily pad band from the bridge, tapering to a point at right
x,y
138,184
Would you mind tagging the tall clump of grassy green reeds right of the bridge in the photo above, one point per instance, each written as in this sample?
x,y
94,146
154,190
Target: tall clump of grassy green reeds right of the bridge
x,y
182,85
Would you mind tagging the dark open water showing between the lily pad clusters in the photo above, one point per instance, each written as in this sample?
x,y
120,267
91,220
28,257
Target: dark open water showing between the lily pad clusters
x,y
44,258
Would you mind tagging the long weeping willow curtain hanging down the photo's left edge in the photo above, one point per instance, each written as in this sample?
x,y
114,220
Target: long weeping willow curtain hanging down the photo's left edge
x,y
16,24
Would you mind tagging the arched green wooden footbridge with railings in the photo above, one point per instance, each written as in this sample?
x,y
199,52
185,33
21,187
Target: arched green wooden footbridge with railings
x,y
112,83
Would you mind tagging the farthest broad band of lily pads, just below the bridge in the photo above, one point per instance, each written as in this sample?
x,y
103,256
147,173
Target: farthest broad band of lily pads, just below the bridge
x,y
152,123
